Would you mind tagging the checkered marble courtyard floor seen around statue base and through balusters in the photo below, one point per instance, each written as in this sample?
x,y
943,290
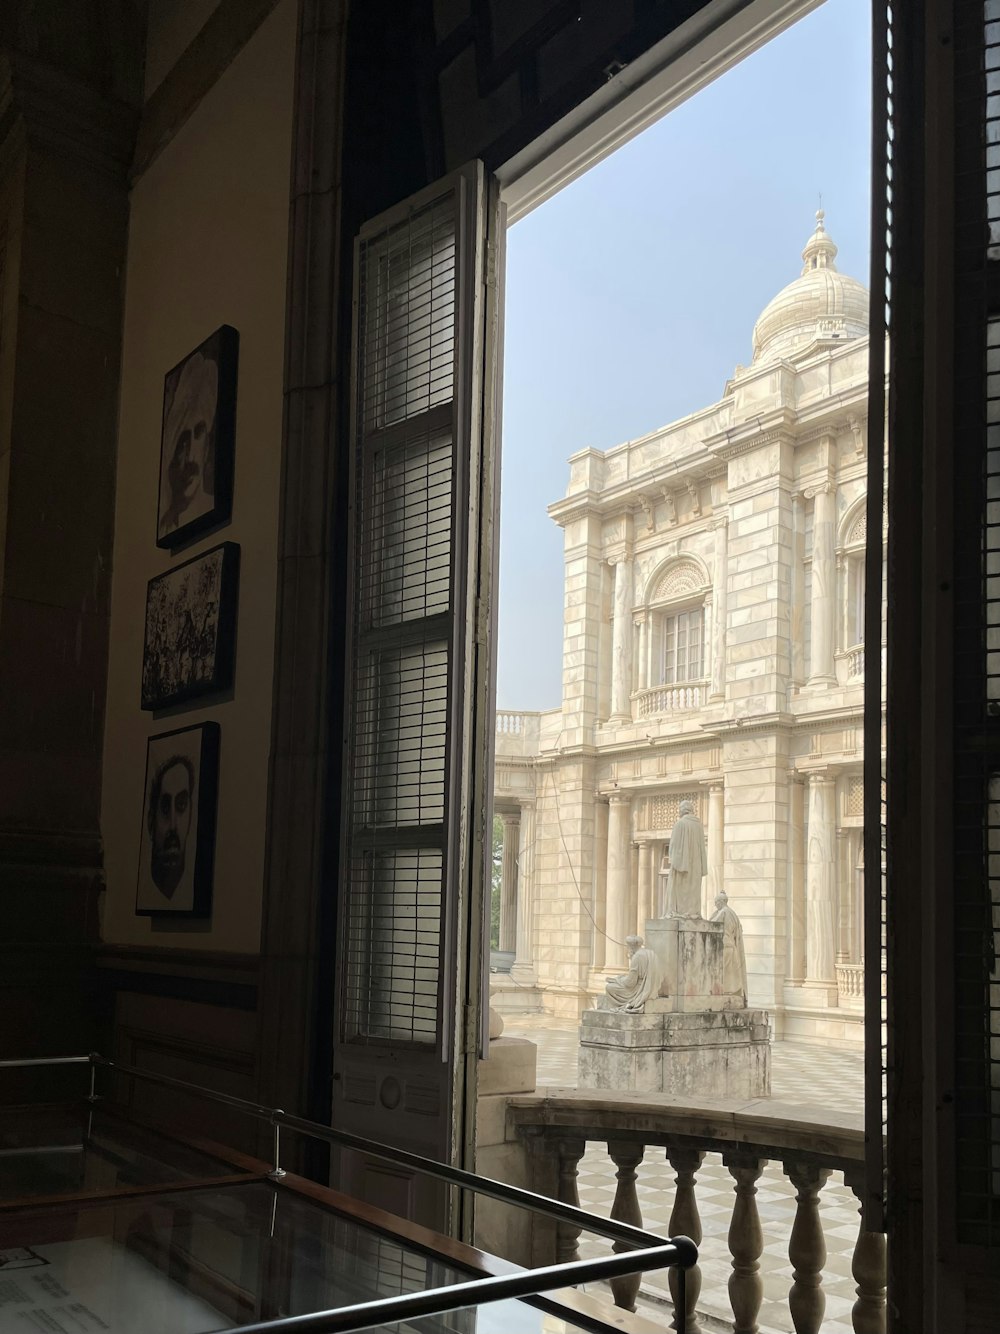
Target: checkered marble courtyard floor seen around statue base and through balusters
x,y
809,1076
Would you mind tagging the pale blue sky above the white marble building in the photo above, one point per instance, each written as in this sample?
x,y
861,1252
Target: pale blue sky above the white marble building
x,y
631,297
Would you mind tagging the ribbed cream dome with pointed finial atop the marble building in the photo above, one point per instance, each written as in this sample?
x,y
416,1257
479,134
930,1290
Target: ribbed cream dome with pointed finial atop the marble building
x,y
821,306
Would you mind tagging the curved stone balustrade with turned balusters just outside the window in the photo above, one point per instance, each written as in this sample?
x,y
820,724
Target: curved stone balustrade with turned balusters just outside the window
x,y
749,1136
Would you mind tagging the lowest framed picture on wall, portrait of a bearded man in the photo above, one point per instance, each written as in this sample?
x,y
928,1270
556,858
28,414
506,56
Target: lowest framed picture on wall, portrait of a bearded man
x,y
177,846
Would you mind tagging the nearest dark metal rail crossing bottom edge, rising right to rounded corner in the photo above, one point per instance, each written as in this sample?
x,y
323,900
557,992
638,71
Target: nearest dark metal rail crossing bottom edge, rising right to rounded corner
x,y
438,1301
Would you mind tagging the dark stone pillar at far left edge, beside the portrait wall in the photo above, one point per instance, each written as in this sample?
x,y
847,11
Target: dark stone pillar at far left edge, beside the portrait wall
x,y
67,127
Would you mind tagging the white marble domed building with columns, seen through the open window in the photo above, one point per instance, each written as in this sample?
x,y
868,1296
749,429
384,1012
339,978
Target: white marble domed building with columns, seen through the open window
x,y
713,650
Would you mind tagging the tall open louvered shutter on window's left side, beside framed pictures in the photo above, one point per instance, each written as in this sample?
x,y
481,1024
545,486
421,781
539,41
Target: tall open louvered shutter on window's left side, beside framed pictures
x,y
415,838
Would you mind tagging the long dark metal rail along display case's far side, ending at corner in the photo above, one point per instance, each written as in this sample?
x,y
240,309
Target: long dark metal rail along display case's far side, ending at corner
x,y
609,1228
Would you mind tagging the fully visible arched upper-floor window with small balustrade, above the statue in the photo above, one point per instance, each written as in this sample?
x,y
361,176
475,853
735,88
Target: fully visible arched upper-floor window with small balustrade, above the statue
x,y
677,614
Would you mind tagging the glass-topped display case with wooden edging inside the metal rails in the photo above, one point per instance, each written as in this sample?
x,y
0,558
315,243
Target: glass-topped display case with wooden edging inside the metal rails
x,y
109,1227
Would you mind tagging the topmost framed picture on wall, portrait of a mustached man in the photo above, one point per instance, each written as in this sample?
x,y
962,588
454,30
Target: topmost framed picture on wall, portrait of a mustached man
x,y
197,441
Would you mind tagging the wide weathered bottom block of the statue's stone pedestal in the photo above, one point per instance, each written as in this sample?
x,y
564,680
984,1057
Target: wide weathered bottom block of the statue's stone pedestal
x,y
710,1055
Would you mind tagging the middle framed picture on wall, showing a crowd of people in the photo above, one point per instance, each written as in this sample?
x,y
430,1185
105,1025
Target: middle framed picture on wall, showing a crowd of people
x,y
190,644
